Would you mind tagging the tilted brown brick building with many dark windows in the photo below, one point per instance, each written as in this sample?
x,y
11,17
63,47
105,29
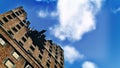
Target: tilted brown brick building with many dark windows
x,y
22,47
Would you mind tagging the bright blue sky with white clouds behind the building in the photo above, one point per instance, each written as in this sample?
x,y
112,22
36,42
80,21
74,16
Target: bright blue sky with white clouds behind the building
x,y
87,30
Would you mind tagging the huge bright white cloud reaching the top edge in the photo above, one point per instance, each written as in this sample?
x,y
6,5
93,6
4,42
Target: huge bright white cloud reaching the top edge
x,y
76,17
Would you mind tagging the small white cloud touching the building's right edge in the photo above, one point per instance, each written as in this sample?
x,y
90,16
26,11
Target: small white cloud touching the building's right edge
x,y
71,54
